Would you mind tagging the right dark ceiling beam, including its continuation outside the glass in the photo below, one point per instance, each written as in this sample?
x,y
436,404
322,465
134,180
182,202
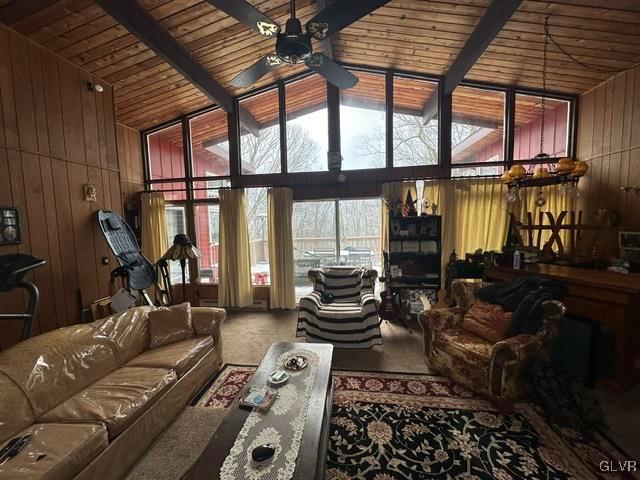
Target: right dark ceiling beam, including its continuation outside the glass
x,y
493,19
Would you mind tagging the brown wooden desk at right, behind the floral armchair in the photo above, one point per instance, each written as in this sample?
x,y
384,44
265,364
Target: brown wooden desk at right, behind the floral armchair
x,y
607,297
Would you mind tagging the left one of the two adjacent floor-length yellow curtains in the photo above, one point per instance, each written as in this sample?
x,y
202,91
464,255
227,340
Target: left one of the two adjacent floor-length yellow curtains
x,y
234,287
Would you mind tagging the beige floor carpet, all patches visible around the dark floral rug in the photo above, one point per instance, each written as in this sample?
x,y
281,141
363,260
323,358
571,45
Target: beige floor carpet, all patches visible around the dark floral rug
x,y
247,337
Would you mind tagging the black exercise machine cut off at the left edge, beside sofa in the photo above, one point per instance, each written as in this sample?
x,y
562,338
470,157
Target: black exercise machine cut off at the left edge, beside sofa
x,y
13,268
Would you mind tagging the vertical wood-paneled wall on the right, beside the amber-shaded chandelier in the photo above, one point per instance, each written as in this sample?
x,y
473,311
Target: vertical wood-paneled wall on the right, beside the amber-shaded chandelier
x,y
609,140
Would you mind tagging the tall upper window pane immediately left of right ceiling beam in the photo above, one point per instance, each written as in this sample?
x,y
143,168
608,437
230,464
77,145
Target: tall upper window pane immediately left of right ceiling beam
x,y
415,122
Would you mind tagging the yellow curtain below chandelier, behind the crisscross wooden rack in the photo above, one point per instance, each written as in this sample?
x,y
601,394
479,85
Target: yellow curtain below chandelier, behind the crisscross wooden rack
x,y
556,203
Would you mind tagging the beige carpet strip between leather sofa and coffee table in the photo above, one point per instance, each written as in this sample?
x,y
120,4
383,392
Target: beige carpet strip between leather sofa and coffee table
x,y
178,448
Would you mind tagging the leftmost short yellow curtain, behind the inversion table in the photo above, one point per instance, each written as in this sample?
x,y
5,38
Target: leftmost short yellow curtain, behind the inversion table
x,y
154,226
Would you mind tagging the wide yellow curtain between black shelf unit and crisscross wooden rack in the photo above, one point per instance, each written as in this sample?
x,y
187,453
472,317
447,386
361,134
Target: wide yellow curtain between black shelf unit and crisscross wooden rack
x,y
475,215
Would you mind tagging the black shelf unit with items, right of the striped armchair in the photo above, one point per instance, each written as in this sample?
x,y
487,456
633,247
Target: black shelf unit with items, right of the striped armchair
x,y
415,252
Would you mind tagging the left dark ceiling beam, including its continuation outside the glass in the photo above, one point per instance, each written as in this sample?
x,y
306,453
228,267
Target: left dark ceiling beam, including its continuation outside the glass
x,y
132,16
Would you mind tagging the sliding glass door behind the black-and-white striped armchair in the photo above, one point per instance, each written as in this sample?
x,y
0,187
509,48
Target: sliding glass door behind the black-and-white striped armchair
x,y
317,243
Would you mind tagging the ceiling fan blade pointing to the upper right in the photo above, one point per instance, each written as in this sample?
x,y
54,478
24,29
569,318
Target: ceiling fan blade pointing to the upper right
x,y
340,14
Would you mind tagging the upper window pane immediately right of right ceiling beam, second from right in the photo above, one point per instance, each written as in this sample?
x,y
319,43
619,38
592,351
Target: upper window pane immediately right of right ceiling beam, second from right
x,y
477,129
